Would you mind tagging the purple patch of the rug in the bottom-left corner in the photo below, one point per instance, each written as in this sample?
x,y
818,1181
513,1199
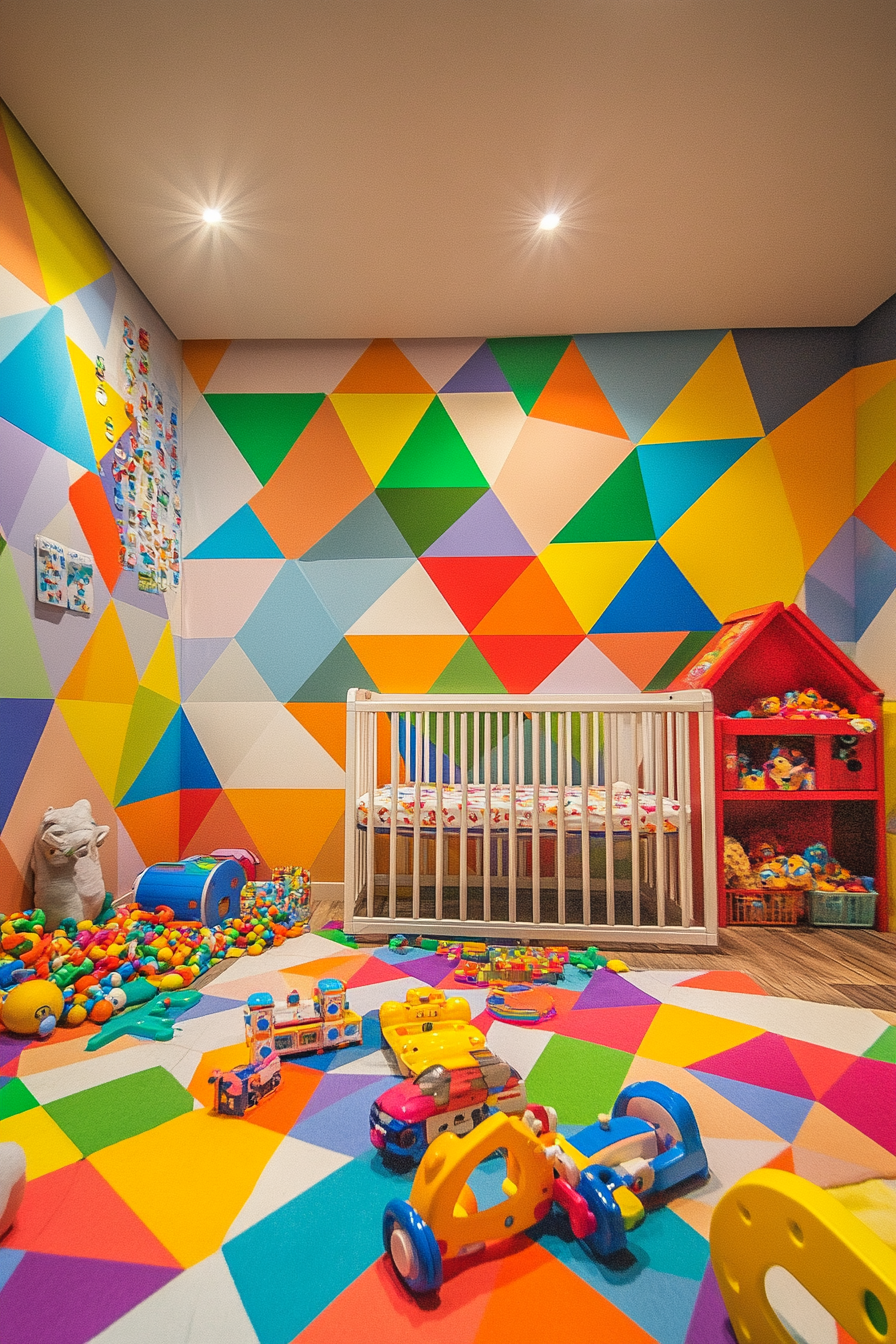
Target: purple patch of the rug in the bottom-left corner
x,y
103,1290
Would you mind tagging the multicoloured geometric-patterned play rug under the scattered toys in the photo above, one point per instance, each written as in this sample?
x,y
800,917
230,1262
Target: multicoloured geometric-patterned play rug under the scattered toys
x,y
150,1217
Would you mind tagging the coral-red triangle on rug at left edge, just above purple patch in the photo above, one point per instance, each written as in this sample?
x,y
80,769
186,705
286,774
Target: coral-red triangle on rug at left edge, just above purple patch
x,y
75,1212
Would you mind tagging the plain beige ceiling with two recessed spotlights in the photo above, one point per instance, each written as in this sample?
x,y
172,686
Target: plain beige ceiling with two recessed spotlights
x,y
382,165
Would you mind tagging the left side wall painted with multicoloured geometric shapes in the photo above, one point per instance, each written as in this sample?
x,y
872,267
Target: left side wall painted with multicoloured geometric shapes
x,y
85,701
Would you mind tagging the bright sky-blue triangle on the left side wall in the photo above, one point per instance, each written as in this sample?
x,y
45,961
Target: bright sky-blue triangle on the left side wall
x,y
38,392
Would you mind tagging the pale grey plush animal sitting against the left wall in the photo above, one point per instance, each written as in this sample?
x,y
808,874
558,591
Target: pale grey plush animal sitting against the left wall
x,y
68,878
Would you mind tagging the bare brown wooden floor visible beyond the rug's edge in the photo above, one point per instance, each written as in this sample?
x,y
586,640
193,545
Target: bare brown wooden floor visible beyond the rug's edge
x,y
852,967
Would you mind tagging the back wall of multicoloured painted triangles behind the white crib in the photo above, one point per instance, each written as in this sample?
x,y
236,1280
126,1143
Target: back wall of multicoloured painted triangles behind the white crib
x,y
569,514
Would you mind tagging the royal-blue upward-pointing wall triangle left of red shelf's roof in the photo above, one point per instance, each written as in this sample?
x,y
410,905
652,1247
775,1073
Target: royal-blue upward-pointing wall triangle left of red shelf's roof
x,y
658,597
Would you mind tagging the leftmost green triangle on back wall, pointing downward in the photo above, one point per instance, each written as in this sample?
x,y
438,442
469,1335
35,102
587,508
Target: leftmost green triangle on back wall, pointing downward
x,y
265,425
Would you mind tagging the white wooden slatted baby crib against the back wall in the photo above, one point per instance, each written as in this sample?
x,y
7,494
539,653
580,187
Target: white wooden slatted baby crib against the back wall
x,y
491,816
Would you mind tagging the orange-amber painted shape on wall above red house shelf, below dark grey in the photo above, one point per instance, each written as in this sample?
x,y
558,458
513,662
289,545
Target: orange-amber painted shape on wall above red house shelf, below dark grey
x,y
821,501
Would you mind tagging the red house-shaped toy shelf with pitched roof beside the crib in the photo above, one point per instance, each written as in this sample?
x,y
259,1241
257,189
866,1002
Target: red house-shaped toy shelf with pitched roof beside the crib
x,y
769,651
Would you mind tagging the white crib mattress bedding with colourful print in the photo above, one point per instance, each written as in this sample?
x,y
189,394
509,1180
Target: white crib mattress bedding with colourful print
x,y
549,804
